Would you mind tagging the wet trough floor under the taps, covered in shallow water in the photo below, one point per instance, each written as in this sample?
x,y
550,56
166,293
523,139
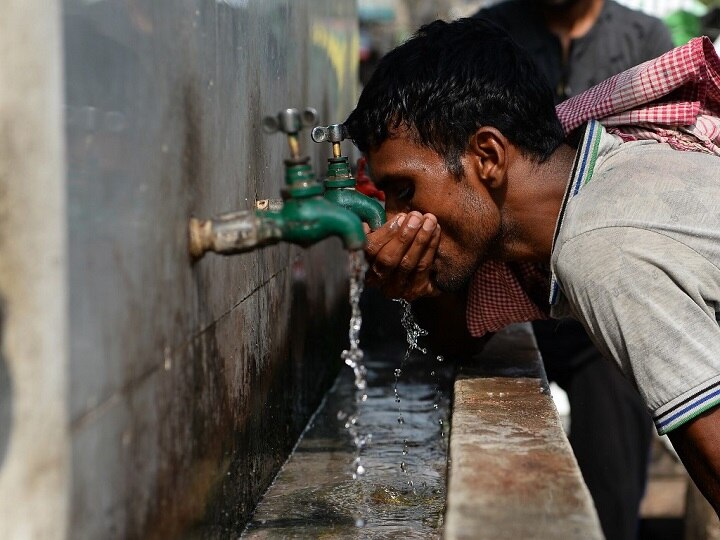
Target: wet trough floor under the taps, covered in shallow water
x,y
401,493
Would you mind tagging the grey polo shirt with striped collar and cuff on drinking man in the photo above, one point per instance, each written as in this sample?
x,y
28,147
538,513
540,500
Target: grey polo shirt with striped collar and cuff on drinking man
x,y
636,259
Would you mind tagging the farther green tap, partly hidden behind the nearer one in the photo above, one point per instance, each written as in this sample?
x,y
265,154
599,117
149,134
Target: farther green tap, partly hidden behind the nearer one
x,y
340,183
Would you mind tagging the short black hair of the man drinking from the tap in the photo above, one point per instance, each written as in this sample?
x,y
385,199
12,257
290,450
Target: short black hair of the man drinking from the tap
x,y
447,81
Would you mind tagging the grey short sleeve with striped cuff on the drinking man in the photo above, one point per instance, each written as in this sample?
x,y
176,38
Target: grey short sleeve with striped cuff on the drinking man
x,y
649,303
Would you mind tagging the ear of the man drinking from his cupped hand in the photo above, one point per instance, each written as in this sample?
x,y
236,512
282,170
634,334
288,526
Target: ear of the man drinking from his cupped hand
x,y
488,150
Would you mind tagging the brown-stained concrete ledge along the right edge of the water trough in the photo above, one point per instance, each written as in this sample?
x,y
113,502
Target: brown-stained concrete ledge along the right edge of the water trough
x,y
512,471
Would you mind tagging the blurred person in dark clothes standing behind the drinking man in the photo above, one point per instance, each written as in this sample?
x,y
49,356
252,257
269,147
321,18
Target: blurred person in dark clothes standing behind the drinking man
x,y
577,44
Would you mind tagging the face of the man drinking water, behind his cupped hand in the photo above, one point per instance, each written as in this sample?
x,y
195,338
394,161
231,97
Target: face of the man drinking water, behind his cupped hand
x,y
416,178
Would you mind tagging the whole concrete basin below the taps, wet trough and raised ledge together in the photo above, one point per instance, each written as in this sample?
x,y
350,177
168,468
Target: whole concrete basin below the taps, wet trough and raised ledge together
x,y
510,473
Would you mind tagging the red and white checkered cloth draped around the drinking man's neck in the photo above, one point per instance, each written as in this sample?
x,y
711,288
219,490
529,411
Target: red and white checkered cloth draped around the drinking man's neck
x,y
674,98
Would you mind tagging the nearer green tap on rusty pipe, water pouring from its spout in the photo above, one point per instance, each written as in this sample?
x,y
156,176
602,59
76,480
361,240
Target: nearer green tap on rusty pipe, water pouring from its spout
x,y
304,219
